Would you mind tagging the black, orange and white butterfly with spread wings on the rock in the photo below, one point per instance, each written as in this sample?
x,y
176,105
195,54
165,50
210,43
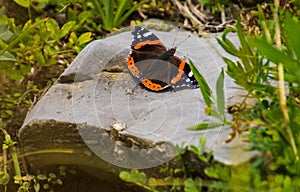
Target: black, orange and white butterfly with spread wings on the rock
x,y
156,66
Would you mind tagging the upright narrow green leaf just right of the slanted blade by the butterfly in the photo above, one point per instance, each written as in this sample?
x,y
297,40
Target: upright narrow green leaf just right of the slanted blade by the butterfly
x,y
220,94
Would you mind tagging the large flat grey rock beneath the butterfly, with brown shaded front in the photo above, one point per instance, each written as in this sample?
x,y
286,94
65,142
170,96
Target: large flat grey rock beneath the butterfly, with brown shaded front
x,y
109,122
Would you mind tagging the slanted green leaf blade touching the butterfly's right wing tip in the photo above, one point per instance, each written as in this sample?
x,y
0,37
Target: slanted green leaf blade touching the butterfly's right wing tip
x,y
205,90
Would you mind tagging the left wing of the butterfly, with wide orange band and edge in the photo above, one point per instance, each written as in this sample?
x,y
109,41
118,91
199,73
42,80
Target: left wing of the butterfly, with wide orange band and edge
x,y
142,60
